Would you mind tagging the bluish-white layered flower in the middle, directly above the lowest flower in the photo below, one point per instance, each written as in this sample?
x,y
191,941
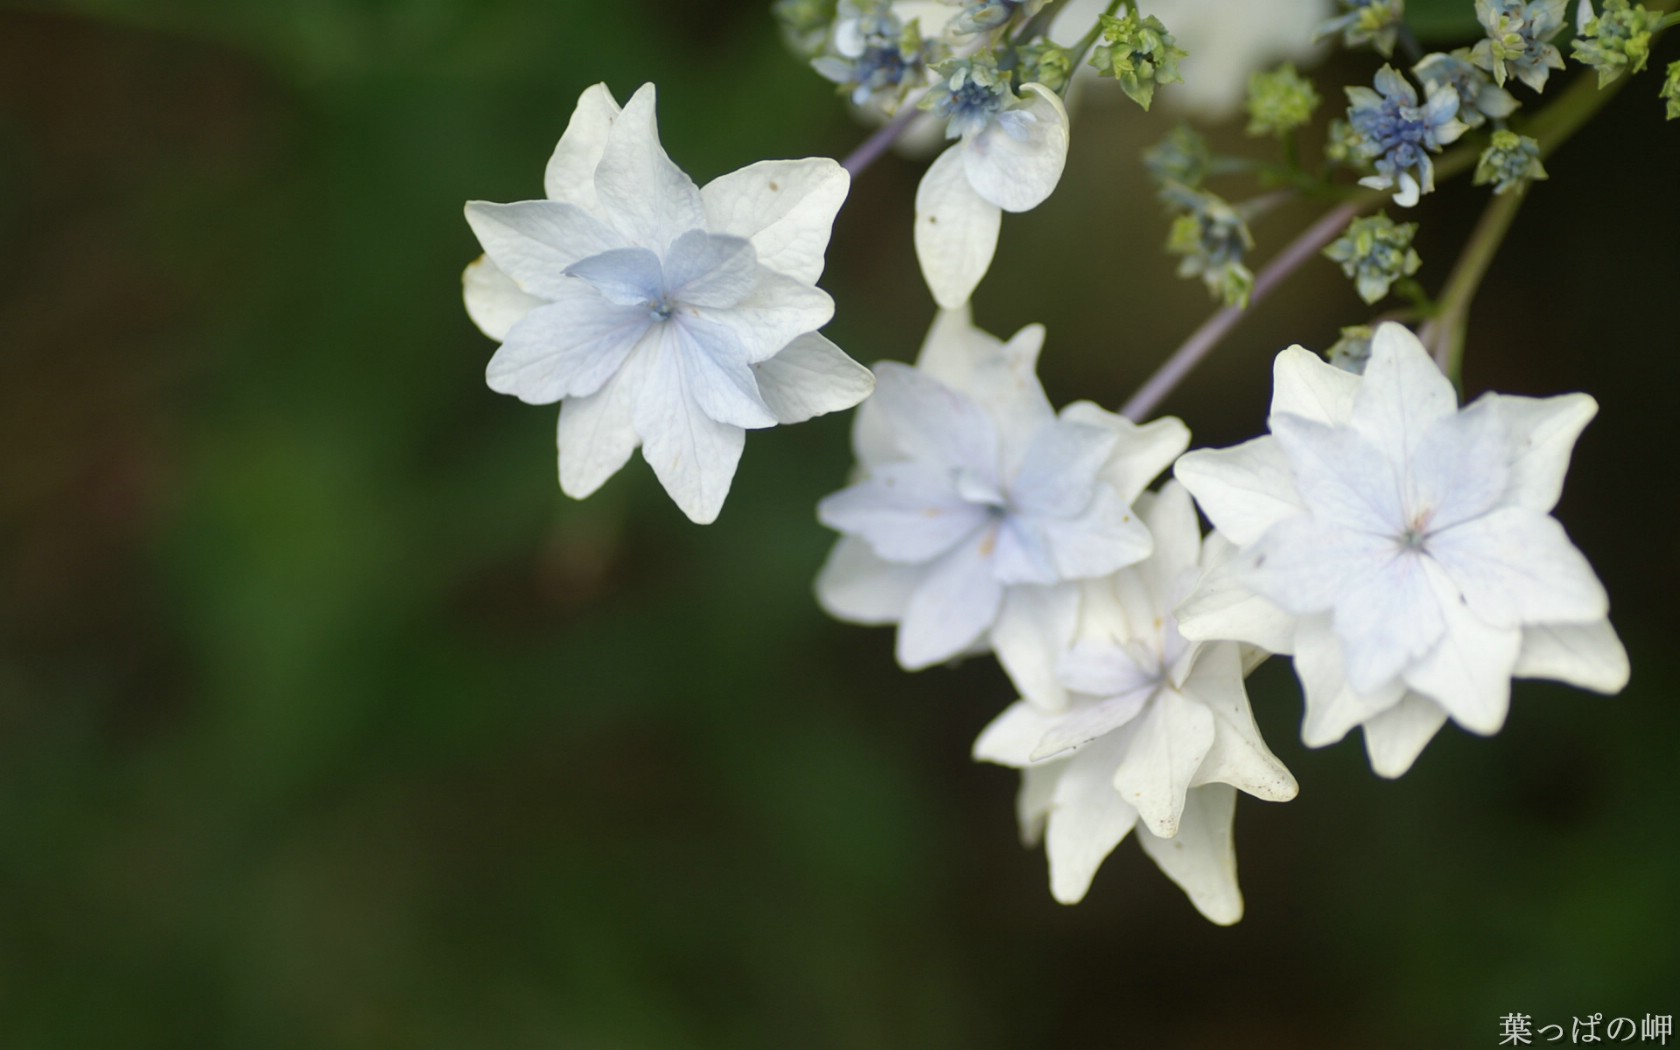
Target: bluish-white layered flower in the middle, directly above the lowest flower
x,y
977,507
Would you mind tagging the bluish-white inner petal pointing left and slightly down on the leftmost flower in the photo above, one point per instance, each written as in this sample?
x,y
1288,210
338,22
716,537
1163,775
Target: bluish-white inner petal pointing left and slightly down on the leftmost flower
x,y
569,347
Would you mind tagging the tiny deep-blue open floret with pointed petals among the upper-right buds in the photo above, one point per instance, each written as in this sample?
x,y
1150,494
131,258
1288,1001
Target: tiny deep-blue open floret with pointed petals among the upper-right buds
x,y
1399,137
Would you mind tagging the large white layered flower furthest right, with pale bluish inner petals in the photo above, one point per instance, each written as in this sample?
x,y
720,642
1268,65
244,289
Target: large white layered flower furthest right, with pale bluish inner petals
x,y
1404,550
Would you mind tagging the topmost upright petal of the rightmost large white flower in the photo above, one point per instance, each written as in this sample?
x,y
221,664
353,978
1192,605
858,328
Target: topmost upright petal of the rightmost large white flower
x,y
1404,392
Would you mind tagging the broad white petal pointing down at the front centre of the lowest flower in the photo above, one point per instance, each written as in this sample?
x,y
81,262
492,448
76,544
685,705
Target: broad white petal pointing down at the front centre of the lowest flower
x,y
1162,760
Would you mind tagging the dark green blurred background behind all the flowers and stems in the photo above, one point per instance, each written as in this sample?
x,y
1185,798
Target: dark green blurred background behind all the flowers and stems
x,y
327,722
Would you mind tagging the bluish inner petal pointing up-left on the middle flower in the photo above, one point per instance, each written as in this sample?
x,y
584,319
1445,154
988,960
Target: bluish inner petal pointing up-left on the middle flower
x,y
933,424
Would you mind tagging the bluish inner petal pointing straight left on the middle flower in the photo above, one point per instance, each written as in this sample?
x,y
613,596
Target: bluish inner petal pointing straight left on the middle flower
x,y
906,513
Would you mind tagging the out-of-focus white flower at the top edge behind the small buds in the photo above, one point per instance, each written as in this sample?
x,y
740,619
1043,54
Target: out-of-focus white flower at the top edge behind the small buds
x,y
1227,43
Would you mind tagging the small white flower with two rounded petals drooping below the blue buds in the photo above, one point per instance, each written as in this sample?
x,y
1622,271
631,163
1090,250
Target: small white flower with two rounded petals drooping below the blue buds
x,y
1009,160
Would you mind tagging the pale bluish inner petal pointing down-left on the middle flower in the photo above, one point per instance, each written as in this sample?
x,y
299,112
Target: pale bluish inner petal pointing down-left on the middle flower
x,y
952,609
